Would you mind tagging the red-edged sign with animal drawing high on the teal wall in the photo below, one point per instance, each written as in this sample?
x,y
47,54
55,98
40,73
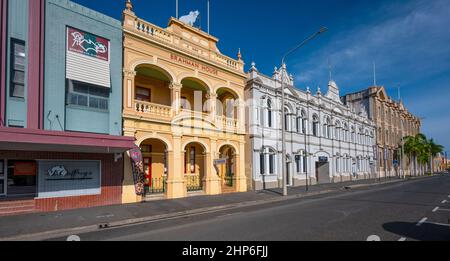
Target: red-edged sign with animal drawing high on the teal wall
x,y
87,44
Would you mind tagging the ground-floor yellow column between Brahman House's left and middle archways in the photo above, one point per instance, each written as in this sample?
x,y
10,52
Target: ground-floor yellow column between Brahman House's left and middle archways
x,y
176,187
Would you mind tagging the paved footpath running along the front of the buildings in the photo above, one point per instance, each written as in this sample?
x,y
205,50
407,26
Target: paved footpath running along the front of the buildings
x,y
42,226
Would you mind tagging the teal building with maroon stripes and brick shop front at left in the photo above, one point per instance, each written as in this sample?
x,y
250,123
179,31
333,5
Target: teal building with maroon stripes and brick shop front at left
x,y
61,142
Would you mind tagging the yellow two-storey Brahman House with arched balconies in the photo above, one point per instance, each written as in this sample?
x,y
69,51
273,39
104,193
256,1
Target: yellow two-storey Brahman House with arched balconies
x,y
183,102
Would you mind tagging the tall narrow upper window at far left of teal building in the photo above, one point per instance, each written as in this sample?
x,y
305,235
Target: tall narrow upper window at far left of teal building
x,y
18,57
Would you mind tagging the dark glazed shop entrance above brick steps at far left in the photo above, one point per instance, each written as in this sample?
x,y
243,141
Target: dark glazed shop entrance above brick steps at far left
x,y
21,178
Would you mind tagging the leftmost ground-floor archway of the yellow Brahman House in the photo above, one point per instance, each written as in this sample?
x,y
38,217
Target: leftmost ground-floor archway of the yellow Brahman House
x,y
154,155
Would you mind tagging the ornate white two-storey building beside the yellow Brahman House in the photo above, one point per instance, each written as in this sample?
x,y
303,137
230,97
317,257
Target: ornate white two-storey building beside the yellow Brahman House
x,y
327,141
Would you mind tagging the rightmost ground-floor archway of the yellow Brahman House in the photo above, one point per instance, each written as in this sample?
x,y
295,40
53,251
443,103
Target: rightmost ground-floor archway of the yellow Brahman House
x,y
227,171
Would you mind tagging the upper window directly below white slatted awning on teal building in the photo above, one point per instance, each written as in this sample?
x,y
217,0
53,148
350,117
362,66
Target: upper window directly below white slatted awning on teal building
x,y
86,95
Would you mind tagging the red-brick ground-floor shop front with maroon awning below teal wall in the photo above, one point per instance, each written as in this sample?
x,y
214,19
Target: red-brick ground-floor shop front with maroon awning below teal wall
x,y
67,171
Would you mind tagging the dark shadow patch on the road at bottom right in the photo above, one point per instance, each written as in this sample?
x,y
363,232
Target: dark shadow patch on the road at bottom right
x,y
425,232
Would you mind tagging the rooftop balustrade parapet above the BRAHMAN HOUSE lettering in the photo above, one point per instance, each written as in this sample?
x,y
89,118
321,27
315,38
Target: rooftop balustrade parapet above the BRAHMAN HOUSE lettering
x,y
162,35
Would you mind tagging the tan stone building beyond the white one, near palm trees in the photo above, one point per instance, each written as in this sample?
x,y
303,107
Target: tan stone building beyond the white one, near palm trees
x,y
393,122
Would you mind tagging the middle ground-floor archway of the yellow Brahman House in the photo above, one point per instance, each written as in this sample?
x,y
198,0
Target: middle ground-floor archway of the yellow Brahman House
x,y
194,166
